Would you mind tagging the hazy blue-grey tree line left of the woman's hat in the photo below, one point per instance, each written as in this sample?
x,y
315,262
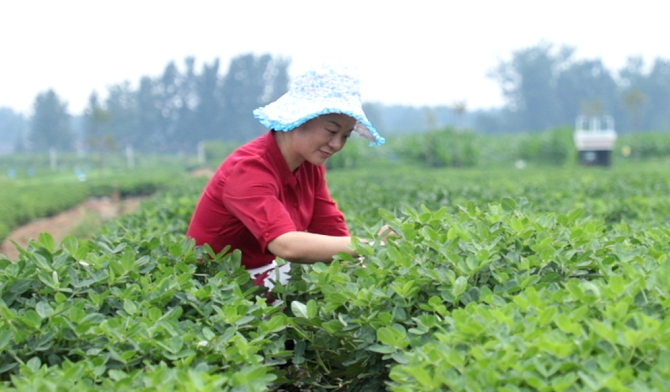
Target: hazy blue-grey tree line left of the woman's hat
x,y
169,113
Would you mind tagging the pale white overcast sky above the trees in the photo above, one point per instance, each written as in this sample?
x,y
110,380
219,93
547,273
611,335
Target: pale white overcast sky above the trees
x,y
415,52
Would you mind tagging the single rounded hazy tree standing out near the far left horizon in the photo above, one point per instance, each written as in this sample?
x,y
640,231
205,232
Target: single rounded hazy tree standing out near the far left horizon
x,y
50,123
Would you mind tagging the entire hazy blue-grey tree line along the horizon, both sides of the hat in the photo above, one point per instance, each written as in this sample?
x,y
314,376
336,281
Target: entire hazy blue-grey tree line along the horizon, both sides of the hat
x,y
544,86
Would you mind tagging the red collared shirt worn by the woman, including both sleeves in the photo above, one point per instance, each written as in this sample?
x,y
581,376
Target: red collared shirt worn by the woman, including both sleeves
x,y
254,198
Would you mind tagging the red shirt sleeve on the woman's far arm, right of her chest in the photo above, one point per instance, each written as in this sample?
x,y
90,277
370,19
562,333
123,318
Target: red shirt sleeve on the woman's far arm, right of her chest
x,y
327,218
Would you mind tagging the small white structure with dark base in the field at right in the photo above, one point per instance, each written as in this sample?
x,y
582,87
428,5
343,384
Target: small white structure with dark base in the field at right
x,y
595,139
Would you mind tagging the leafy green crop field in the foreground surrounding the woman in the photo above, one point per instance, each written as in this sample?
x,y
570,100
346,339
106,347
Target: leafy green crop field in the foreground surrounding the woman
x,y
547,278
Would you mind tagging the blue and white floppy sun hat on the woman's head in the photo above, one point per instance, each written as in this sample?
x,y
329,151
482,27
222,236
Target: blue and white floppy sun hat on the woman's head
x,y
321,89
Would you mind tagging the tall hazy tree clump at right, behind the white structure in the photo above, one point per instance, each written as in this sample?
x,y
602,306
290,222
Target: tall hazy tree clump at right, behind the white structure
x,y
545,86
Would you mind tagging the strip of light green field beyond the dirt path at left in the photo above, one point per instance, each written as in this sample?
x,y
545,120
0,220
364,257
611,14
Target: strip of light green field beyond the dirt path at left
x,y
36,190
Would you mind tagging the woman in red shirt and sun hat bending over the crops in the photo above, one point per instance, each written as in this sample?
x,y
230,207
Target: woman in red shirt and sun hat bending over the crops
x,y
269,198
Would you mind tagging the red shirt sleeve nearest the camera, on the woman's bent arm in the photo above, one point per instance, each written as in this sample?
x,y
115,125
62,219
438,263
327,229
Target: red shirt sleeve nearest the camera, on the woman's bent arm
x,y
251,194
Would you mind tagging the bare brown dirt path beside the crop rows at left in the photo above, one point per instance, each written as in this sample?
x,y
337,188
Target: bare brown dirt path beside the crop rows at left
x,y
64,223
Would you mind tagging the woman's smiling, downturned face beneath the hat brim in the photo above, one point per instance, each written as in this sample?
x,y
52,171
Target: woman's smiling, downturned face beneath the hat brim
x,y
318,139
